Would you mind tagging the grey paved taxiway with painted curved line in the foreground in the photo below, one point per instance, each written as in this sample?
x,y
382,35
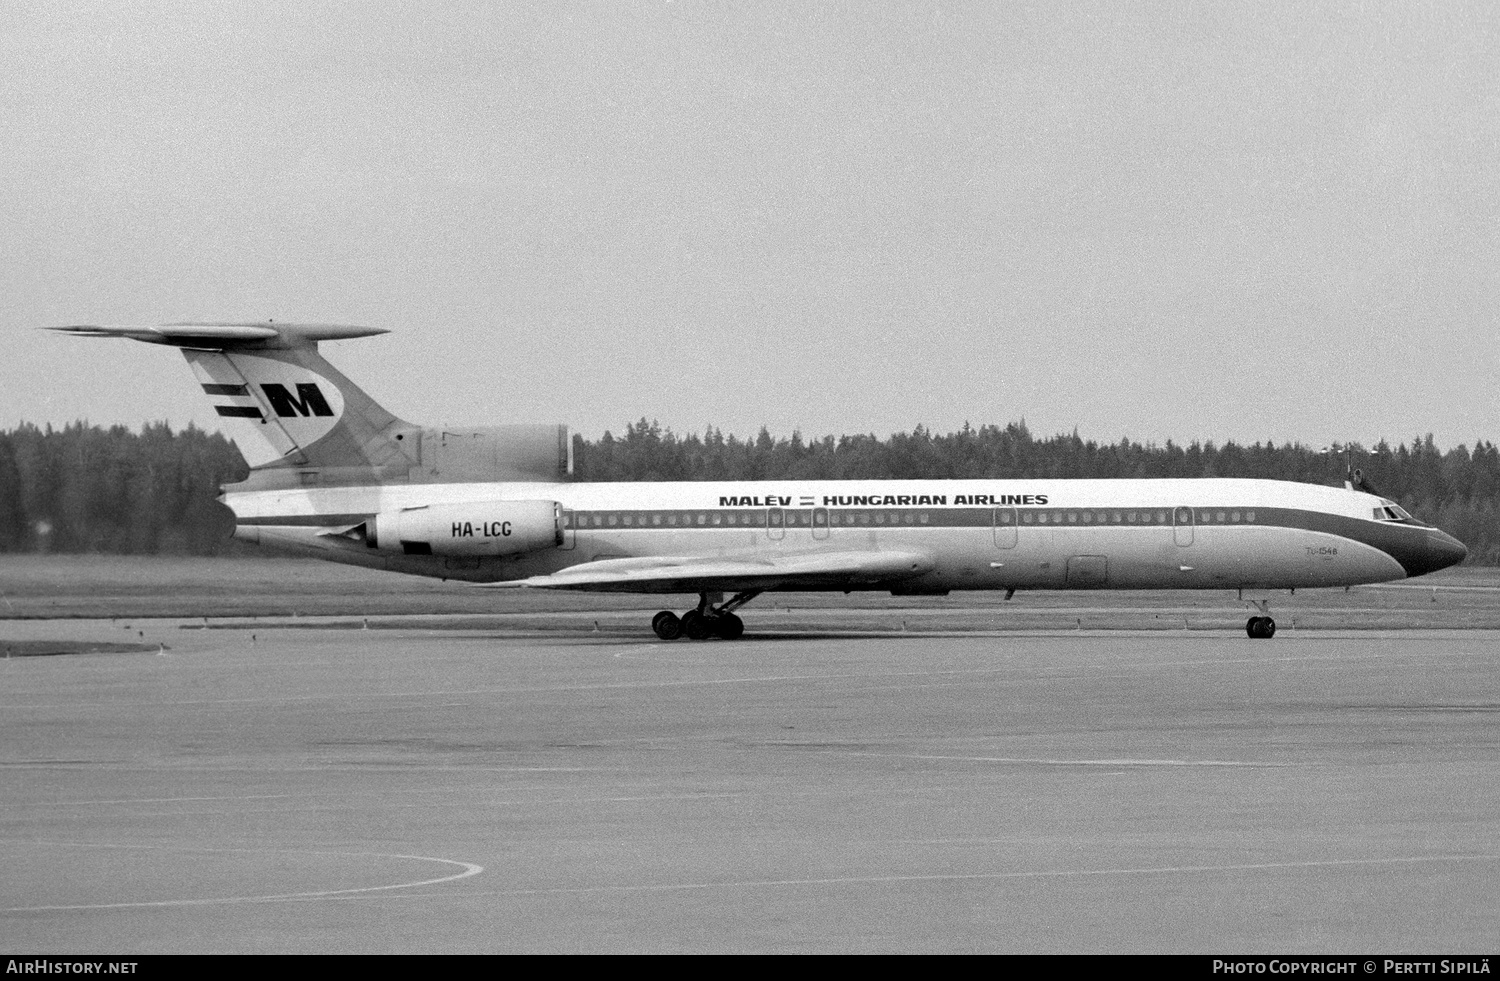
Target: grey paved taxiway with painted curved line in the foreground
x,y
431,791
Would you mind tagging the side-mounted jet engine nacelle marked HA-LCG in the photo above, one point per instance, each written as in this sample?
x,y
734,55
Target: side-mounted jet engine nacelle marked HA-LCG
x,y
469,530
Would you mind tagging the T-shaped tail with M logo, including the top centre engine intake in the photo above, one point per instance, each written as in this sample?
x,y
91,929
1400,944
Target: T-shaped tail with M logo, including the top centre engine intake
x,y
298,421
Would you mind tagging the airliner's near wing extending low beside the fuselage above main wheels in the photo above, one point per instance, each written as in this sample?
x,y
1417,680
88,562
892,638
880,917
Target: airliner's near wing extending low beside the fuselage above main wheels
x,y
698,574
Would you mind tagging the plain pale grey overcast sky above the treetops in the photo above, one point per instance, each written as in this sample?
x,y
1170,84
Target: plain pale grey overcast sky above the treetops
x,y
1190,221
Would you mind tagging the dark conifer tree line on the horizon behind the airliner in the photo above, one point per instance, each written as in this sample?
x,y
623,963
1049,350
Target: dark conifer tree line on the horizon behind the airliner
x,y
92,490
